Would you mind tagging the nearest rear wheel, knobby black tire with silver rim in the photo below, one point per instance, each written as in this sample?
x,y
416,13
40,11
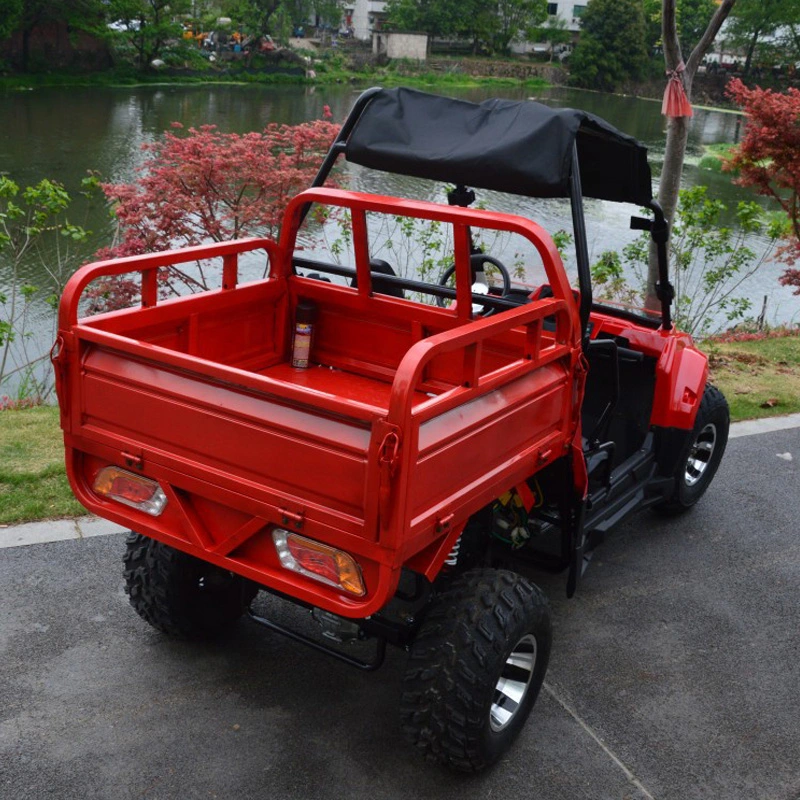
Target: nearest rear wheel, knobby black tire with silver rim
x,y
476,668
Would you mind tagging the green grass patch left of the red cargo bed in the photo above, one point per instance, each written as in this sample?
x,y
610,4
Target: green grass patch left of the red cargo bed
x,y
33,481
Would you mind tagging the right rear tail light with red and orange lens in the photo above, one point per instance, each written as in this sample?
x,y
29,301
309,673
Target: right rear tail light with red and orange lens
x,y
318,561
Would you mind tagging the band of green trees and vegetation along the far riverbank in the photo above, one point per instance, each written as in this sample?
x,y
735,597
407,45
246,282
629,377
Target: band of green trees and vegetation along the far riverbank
x,y
620,44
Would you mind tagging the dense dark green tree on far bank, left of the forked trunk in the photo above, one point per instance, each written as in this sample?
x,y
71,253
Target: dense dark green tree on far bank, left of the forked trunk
x,y
612,47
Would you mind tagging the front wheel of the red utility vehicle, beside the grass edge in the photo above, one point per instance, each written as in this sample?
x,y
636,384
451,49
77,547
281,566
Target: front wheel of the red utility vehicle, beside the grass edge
x,y
700,459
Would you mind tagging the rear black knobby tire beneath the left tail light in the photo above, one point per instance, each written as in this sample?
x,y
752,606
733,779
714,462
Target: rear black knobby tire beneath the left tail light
x,y
179,594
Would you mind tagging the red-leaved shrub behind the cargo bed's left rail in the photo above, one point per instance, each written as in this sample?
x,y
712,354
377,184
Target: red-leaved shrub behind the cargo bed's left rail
x,y
203,185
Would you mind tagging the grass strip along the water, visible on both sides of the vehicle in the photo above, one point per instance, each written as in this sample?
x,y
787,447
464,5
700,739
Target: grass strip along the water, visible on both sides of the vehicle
x,y
759,378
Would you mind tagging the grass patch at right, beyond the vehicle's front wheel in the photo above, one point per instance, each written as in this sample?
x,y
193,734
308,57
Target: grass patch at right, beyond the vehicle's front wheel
x,y
760,378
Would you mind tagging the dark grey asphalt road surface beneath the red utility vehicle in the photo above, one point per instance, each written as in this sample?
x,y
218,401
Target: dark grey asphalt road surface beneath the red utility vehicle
x,y
675,676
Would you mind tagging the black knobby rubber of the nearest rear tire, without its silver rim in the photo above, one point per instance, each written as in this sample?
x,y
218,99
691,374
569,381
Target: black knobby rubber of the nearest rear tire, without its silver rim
x,y
465,637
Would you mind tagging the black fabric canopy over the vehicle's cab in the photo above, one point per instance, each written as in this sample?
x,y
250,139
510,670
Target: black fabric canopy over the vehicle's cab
x,y
518,147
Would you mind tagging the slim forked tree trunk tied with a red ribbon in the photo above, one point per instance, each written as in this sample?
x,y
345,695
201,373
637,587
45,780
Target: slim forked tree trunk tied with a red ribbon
x,y
678,127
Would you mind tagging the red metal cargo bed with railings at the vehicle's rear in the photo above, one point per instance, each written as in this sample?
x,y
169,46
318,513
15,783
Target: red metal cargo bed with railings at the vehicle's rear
x,y
410,418
